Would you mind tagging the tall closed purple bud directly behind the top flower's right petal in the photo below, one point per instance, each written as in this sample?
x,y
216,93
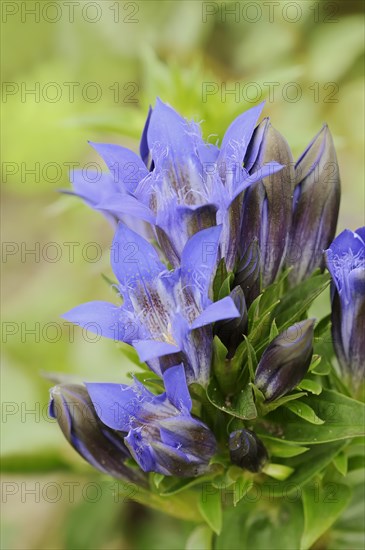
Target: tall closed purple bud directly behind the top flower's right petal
x,y
268,203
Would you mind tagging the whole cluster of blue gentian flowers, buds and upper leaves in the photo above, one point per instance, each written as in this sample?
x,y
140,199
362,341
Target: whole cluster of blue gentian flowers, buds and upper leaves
x,y
215,252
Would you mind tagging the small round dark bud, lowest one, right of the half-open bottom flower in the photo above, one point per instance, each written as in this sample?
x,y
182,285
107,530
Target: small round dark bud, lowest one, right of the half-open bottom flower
x,y
247,451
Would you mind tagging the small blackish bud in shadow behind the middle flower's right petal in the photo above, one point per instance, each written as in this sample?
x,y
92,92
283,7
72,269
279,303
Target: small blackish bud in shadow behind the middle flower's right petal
x,y
231,331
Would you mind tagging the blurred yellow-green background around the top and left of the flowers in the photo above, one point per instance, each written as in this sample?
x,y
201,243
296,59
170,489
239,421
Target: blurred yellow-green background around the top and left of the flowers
x,y
78,71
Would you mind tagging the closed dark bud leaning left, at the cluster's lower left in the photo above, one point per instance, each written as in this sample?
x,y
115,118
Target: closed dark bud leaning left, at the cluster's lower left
x,y
101,446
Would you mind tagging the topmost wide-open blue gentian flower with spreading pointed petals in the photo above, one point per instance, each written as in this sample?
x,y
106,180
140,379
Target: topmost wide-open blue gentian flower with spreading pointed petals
x,y
187,184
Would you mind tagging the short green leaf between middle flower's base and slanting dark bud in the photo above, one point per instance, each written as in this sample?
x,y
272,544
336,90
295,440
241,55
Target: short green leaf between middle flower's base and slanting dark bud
x,y
240,405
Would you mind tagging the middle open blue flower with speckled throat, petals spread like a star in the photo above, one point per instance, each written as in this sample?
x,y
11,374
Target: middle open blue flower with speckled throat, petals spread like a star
x,y
166,315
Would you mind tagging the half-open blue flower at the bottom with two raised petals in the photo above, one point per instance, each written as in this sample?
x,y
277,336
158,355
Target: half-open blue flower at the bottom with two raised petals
x,y
162,435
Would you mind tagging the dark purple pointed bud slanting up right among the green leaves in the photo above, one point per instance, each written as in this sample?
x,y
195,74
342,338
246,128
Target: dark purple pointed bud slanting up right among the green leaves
x,y
285,361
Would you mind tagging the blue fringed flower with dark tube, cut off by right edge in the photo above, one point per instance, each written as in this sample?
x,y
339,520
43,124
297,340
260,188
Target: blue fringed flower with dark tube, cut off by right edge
x,y
345,260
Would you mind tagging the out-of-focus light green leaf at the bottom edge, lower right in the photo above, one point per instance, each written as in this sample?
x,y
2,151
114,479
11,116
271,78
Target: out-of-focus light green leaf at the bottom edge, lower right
x,y
323,504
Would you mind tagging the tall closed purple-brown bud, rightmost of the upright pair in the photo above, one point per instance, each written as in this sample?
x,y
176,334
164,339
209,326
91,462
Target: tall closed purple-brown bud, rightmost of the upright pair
x,y
315,206
